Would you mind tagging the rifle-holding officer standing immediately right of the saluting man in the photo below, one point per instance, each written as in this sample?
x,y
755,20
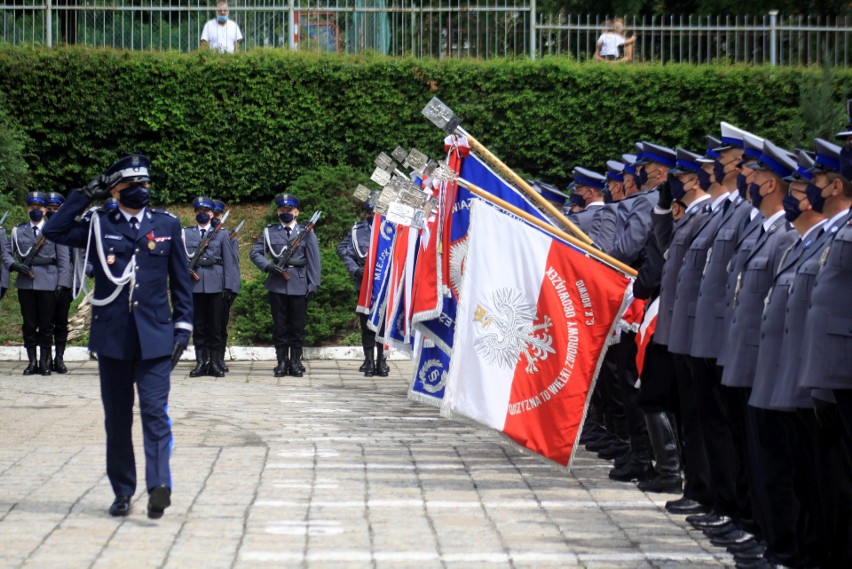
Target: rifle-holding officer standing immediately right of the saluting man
x,y
212,276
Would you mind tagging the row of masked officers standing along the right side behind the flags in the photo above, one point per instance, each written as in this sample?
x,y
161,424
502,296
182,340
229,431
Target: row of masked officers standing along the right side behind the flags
x,y
740,341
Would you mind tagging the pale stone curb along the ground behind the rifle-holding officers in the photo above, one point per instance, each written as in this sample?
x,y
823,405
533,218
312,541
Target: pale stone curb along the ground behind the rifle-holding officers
x,y
234,353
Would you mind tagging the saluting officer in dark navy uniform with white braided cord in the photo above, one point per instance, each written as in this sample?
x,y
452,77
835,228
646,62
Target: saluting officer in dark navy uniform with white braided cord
x,y
139,265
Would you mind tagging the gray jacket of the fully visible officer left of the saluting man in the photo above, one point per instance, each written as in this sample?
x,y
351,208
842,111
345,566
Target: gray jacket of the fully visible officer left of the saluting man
x,y
51,265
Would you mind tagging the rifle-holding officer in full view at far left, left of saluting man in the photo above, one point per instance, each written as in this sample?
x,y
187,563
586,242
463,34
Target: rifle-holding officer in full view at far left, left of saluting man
x,y
38,282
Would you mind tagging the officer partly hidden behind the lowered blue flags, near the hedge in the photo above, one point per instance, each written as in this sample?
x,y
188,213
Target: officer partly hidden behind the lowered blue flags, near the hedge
x,y
352,250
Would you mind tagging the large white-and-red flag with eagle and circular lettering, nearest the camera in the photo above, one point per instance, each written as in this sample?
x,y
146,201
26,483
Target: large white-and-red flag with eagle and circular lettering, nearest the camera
x,y
533,321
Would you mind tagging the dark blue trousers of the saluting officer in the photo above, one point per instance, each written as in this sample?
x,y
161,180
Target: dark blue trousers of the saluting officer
x,y
152,379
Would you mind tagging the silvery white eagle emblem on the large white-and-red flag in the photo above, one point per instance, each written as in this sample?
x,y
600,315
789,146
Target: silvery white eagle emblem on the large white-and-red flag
x,y
514,331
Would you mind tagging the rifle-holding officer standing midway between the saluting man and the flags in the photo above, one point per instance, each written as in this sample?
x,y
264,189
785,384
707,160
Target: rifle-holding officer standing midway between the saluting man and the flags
x,y
290,286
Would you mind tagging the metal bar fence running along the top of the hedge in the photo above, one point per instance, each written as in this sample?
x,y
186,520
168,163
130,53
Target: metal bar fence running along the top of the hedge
x,y
444,28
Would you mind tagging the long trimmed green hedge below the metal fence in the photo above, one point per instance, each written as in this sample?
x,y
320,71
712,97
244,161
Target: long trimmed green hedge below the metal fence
x,y
245,126
